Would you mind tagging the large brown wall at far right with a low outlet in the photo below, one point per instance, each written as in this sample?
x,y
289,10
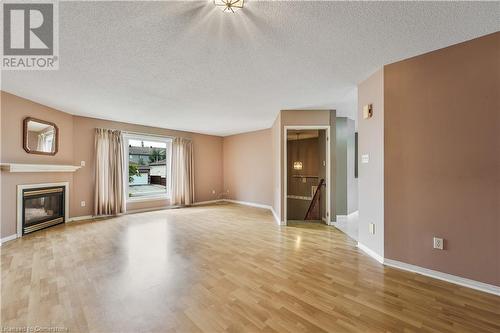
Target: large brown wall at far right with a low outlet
x,y
442,159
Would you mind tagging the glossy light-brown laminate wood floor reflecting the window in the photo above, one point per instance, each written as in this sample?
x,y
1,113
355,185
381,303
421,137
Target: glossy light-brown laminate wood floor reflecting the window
x,y
221,268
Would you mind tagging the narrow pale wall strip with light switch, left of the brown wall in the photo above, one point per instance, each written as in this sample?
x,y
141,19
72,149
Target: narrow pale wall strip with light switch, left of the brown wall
x,y
371,174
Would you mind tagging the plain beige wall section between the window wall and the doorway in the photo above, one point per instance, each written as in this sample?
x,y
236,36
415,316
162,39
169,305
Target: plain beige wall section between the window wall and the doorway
x,y
248,167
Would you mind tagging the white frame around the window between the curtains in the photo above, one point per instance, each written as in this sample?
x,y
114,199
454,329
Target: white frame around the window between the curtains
x,y
155,138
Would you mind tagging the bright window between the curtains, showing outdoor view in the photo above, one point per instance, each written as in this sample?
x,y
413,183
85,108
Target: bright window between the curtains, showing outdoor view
x,y
148,167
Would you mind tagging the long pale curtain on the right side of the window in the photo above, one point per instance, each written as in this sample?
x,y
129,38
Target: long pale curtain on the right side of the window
x,y
182,172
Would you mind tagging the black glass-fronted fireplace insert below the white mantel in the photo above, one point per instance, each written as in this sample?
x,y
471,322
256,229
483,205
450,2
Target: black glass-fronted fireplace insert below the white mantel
x,y
42,207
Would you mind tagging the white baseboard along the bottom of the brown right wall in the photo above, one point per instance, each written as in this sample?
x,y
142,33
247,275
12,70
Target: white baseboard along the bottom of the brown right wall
x,y
489,288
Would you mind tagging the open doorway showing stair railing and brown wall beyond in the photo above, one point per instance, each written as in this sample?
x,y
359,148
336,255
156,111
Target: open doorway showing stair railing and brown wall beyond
x,y
306,175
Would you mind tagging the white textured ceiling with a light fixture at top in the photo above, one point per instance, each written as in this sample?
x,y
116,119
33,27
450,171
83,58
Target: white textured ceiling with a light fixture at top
x,y
186,65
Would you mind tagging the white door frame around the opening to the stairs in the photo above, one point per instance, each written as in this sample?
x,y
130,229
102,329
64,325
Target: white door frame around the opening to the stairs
x,y
328,171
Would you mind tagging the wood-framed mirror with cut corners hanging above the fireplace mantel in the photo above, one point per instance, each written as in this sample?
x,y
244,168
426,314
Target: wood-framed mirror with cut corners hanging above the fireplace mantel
x,y
40,137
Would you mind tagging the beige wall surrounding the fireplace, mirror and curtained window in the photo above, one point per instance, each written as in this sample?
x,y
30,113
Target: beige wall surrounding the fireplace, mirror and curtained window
x,y
76,144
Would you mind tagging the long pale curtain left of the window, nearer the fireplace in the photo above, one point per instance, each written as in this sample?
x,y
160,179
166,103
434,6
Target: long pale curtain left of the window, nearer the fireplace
x,y
109,173
